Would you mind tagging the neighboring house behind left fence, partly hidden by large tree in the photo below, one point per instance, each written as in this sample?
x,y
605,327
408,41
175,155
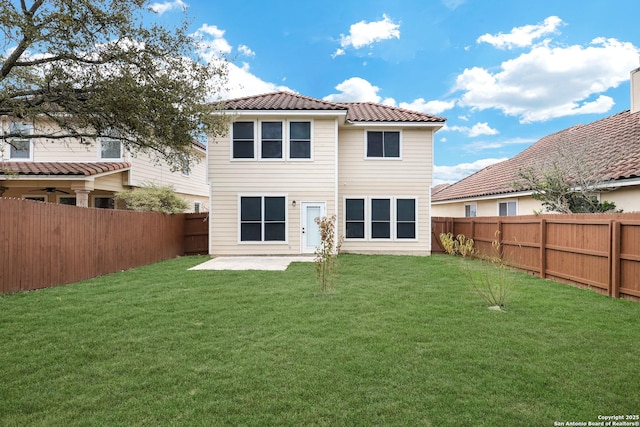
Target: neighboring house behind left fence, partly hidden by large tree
x,y
69,172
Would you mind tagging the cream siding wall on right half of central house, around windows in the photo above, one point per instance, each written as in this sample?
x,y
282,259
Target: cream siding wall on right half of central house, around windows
x,y
408,177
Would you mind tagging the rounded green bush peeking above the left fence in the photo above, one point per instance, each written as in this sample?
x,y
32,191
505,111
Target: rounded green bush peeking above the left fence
x,y
152,198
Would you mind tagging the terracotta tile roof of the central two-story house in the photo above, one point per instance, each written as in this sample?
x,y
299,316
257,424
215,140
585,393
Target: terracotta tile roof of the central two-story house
x,y
356,111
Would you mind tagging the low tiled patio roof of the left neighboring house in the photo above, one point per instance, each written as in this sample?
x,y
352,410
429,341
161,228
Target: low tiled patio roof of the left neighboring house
x,y
61,168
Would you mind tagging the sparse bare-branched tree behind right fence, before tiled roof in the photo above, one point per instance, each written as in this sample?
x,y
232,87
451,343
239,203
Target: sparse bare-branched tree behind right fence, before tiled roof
x,y
568,181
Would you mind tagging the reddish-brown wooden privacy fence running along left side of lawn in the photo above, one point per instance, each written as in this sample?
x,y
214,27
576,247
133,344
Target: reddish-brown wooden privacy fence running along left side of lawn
x,y
46,244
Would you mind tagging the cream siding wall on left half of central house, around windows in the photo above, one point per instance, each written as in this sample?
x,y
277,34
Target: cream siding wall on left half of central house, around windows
x,y
298,180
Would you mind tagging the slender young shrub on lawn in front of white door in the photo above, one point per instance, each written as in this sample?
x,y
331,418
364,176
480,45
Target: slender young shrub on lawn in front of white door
x,y
326,253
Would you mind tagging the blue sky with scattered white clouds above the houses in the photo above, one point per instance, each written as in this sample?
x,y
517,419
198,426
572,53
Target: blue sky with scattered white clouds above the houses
x,y
503,72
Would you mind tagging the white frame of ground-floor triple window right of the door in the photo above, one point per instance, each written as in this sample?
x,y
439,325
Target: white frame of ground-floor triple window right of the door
x,y
393,200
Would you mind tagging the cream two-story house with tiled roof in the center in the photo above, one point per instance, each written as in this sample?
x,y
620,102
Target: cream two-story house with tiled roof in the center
x,y
289,159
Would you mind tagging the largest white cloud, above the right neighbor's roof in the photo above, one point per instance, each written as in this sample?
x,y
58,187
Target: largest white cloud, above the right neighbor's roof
x,y
549,82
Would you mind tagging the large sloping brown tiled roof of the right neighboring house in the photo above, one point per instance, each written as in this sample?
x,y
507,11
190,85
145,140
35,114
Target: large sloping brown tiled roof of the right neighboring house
x,y
610,146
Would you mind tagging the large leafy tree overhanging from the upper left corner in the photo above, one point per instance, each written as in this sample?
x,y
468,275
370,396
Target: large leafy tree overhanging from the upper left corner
x,y
104,68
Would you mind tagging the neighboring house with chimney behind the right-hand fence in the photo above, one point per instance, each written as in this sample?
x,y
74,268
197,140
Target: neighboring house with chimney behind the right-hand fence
x,y
610,147
